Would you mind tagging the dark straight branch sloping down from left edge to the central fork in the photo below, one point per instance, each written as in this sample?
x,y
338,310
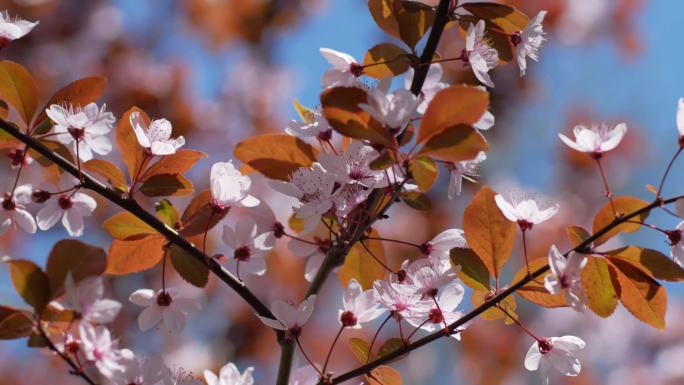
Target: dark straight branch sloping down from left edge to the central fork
x,y
134,208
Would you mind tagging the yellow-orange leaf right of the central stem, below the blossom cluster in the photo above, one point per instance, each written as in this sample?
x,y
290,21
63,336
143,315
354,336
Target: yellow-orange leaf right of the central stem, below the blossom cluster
x,y
362,266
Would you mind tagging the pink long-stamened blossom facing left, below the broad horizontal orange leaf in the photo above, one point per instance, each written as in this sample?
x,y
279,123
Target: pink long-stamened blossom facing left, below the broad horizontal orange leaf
x,y
314,189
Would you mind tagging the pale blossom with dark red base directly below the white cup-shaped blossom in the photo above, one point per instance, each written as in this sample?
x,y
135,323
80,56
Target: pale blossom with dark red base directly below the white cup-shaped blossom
x,y
248,246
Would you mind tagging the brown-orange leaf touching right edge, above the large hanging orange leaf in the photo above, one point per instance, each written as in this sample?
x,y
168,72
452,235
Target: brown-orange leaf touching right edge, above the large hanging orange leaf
x,y
652,262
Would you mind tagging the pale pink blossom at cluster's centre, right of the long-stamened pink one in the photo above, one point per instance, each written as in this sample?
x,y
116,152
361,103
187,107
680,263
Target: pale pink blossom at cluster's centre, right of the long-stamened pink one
x,y
353,166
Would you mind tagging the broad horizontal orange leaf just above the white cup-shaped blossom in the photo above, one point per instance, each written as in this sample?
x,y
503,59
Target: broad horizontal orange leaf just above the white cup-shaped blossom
x,y
276,156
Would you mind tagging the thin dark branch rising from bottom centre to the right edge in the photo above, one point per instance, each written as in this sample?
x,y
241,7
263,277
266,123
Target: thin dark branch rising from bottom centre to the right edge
x,y
493,301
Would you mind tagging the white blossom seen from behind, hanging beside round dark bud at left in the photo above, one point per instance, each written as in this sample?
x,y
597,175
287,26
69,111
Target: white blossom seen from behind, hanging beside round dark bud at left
x,y
71,208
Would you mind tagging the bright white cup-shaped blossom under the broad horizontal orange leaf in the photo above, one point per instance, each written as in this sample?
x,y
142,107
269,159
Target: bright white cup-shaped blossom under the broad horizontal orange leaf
x,y
229,187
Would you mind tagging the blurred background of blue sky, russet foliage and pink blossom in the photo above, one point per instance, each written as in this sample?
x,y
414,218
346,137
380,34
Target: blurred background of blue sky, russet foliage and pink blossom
x,y
221,70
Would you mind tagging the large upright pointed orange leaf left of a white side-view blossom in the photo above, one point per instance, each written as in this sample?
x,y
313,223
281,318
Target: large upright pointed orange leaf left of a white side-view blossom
x,y
488,232
